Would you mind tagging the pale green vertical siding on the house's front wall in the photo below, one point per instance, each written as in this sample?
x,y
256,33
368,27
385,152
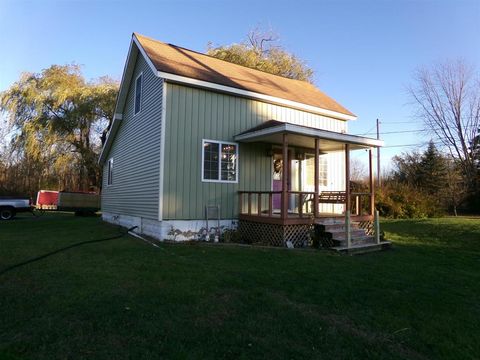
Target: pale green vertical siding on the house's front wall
x,y
193,115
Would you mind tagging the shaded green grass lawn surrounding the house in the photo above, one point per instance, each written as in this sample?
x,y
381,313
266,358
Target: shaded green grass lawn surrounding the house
x,y
124,299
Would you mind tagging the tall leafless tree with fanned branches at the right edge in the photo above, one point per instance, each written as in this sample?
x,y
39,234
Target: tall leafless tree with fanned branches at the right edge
x,y
447,99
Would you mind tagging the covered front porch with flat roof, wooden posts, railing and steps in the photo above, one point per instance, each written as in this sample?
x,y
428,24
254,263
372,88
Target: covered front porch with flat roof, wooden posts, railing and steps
x,y
289,217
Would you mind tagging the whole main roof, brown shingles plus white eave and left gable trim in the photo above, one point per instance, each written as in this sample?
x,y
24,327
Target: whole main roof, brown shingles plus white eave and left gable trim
x,y
204,70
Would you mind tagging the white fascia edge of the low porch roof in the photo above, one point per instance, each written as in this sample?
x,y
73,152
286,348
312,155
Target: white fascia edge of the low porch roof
x,y
314,133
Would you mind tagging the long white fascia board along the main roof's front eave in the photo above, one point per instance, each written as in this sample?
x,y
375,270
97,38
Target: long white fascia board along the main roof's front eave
x,y
253,95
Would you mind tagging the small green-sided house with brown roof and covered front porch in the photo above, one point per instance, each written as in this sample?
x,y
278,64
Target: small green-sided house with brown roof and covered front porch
x,y
193,133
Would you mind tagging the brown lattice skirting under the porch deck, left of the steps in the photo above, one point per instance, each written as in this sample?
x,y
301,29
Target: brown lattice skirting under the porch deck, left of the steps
x,y
274,234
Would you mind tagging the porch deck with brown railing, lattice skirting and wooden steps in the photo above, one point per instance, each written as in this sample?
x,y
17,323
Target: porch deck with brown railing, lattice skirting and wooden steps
x,y
302,223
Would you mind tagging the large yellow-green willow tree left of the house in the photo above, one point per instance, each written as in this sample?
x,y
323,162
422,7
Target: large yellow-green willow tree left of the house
x,y
57,118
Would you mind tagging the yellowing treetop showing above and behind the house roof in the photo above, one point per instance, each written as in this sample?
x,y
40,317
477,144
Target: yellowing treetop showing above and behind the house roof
x,y
261,51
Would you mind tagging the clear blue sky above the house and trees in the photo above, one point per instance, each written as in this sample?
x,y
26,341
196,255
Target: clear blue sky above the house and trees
x,y
363,52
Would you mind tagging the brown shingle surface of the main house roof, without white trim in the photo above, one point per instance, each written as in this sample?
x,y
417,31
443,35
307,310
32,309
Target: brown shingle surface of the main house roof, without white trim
x,y
179,61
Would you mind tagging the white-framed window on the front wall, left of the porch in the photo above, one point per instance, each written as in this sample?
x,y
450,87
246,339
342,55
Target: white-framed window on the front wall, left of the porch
x,y
219,161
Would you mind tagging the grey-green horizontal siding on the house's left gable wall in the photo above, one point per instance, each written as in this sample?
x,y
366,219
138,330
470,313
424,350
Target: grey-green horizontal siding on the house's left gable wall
x,y
136,152
